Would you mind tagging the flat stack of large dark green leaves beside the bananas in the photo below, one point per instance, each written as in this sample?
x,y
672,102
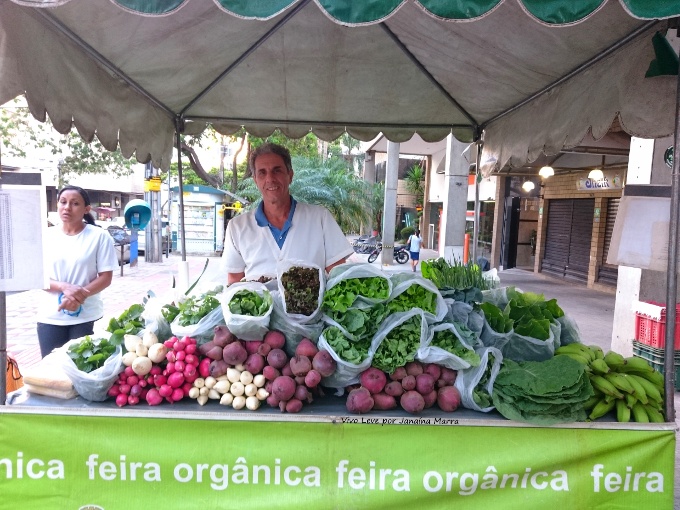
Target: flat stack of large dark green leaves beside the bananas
x,y
542,392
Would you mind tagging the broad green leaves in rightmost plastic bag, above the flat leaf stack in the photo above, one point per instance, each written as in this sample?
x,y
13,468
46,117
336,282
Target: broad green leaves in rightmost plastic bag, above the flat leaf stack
x,y
531,313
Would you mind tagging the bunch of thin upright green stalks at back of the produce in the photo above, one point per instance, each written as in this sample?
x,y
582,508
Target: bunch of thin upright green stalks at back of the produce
x,y
461,281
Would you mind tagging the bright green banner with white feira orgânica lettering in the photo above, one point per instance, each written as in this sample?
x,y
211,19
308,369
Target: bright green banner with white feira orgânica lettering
x,y
89,462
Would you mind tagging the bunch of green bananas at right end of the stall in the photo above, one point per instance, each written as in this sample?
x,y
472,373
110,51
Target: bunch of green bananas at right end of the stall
x,y
627,385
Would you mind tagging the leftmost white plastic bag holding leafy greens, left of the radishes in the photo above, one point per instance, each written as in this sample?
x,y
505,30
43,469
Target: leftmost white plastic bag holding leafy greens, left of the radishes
x,y
94,385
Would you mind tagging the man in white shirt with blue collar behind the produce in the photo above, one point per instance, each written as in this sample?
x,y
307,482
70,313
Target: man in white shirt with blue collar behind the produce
x,y
281,228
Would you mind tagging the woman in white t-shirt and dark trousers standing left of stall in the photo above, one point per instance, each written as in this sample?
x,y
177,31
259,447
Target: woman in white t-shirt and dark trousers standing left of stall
x,y
81,259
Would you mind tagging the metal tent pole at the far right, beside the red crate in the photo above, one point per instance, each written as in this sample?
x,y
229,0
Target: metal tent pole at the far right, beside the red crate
x,y
672,272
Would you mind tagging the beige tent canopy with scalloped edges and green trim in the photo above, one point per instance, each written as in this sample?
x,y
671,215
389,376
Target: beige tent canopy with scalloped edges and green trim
x,y
532,76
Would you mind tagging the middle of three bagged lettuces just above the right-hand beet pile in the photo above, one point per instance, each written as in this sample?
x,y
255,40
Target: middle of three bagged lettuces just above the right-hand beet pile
x,y
399,346
